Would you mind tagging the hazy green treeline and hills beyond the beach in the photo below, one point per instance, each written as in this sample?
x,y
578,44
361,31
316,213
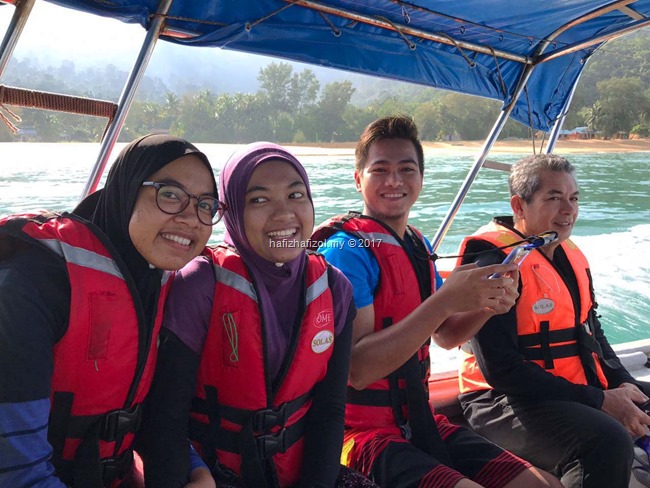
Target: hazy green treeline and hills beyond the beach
x,y
290,106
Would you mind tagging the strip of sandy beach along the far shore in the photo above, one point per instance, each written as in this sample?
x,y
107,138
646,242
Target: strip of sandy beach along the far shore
x,y
472,148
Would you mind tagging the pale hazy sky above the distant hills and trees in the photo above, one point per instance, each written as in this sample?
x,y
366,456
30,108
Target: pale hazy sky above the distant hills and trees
x,y
54,33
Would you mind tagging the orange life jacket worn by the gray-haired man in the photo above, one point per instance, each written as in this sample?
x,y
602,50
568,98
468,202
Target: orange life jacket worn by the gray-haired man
x,y
549,332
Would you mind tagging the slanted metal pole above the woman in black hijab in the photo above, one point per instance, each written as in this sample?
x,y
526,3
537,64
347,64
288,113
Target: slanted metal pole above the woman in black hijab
x,y
126,98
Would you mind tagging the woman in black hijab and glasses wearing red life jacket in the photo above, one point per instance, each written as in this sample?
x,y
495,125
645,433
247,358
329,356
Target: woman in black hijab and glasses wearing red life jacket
x,y
80,301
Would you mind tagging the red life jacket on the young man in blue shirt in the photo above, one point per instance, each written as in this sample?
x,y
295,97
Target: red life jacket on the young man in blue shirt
x,y
383,403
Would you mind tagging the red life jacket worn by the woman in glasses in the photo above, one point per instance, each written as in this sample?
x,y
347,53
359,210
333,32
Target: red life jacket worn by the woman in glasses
x,y
104,364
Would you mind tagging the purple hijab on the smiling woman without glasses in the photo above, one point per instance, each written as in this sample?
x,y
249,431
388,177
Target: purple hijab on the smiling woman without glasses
x,y
278,287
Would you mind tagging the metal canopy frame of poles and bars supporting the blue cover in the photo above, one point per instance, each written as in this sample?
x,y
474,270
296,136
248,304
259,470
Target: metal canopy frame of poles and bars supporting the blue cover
x,y
157,27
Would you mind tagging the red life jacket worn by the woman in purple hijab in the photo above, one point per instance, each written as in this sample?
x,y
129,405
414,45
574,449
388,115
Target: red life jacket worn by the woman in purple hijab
x,y
241,423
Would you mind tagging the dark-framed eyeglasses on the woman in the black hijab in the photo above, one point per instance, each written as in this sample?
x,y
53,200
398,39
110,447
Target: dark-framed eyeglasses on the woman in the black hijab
x,y
173,200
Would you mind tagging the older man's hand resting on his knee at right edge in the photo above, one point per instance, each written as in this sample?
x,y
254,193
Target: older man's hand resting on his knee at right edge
x,y
621,402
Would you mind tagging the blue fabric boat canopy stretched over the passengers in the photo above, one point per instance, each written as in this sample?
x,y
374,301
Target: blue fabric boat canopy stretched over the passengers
x,y
477,47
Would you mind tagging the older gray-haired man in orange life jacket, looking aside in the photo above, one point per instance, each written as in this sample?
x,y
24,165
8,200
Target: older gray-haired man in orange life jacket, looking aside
x,y
542,380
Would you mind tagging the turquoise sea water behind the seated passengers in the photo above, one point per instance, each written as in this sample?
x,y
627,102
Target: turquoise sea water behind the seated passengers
x,y
613,229
